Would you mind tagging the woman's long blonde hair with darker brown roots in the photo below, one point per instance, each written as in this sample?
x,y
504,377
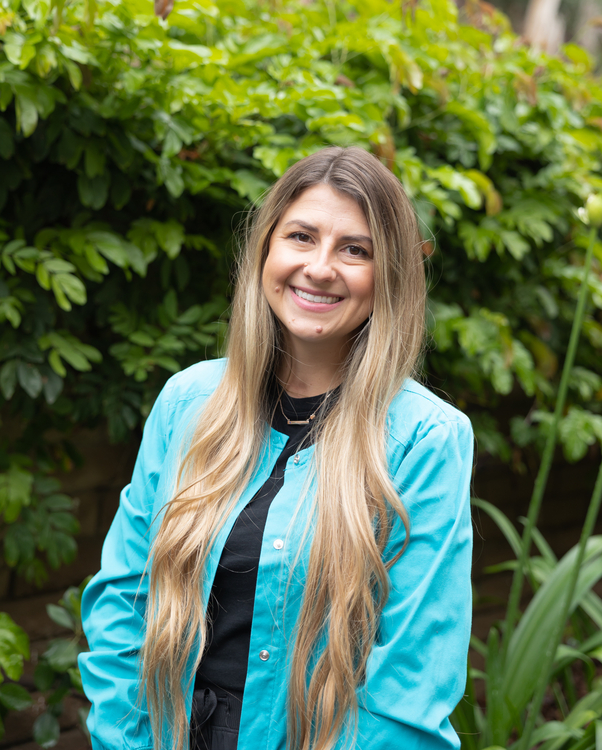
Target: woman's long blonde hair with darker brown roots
x,y
355,504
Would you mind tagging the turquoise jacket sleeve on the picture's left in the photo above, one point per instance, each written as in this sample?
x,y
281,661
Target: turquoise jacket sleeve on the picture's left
x,y
114,601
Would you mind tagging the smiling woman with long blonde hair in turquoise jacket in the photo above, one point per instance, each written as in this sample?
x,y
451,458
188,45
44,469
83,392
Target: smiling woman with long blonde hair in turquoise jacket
x,y
293,551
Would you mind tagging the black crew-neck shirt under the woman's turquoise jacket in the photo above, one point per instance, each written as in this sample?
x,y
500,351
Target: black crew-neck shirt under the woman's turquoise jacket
x,y
230,609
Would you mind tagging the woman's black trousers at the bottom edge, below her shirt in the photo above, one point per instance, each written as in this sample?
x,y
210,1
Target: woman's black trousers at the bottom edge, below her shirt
x,y
215,719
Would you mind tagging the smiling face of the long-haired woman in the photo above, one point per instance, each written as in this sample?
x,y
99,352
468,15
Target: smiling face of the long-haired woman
x,y
318,277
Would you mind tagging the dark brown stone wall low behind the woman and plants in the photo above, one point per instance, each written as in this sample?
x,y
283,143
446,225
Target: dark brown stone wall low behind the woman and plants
x,y
107,468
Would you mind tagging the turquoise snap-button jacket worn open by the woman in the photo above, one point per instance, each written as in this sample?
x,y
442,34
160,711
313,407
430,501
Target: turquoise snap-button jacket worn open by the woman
x,y
416,671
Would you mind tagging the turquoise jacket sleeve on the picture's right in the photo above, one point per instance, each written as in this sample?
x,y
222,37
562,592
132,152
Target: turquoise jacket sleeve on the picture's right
x,y
416,672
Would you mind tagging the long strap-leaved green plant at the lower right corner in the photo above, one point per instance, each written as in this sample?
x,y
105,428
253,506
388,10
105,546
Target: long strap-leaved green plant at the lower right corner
x,y
510,685
